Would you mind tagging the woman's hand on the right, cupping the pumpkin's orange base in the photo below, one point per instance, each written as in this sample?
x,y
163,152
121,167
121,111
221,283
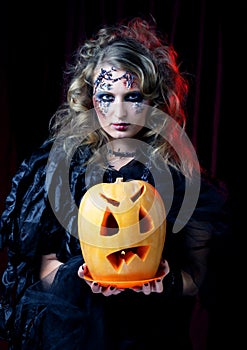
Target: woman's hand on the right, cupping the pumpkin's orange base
x,y
156,285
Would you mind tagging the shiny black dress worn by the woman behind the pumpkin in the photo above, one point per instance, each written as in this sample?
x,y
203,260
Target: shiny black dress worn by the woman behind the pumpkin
x,y
41,218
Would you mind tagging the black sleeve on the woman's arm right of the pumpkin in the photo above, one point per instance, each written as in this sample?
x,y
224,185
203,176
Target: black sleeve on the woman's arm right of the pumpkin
x,y
192,248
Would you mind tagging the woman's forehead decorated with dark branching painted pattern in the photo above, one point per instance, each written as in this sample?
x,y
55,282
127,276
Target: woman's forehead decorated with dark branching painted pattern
x,y
108,77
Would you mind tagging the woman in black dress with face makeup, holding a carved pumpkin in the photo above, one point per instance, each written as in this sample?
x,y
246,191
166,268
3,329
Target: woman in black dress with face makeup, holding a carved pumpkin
x,y
124,118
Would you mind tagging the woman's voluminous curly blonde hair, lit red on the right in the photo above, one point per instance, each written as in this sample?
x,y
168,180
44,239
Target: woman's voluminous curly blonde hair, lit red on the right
x,y
139,48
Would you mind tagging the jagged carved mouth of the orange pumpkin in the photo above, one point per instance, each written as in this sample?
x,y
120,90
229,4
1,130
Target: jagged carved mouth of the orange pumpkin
x,y
118,258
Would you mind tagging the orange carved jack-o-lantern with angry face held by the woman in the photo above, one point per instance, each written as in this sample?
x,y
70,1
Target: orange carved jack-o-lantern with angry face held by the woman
x,y
122,231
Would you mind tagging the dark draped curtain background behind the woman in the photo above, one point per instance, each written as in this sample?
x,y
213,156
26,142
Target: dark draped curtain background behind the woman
x,y
37,40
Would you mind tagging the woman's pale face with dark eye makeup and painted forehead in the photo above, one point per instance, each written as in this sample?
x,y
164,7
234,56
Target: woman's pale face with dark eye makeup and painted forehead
x,y
119,104
